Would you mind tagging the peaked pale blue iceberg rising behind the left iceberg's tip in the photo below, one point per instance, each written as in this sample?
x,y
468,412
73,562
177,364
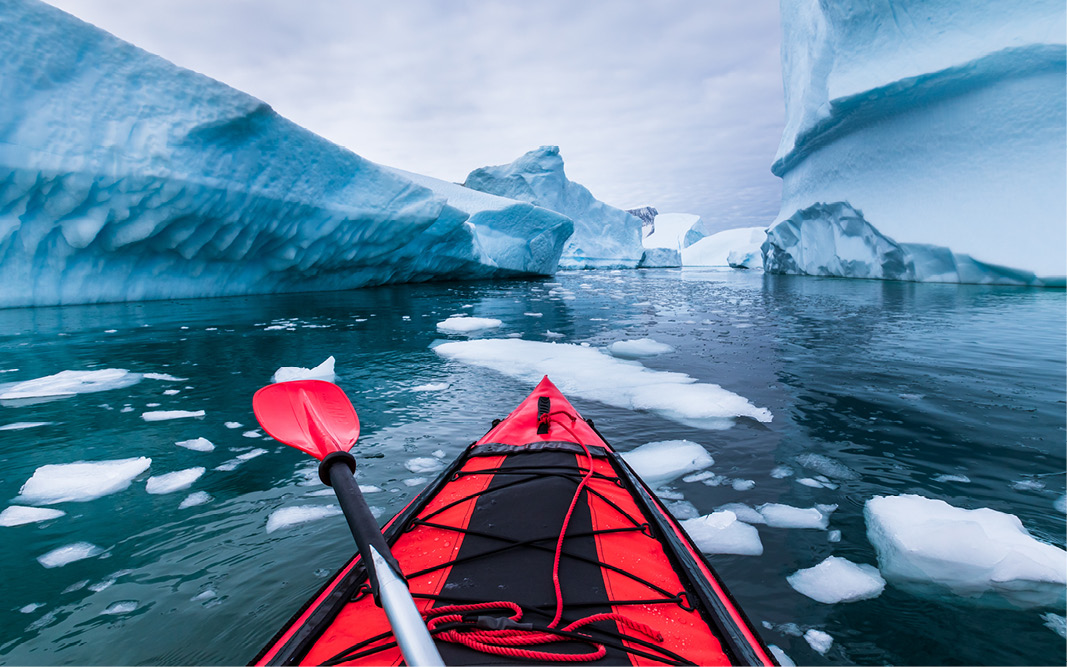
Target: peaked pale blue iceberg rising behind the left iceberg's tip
x,y
604,236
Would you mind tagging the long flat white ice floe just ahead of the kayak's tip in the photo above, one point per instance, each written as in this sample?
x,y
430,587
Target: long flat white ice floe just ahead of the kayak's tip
x,y
587,373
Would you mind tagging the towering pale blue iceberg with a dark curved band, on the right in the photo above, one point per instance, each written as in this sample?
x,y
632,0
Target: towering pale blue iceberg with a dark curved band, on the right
x,y
944,122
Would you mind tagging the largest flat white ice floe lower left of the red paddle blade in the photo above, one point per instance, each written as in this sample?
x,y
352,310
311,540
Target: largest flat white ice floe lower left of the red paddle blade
x,y
81,482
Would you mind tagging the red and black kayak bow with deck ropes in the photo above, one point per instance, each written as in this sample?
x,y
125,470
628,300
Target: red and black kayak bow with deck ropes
x,y
538,545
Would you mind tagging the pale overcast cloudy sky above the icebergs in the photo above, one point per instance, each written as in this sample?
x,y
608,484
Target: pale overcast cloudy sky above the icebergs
x,y
676,104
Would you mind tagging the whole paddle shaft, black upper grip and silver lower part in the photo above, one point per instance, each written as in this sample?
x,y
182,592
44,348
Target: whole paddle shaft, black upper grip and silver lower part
x,y
383,569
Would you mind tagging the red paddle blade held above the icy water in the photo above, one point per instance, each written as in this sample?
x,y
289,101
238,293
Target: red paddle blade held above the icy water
x,y
311,416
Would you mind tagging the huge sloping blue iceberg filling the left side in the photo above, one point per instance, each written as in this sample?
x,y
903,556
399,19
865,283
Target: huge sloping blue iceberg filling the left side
x,y
126,178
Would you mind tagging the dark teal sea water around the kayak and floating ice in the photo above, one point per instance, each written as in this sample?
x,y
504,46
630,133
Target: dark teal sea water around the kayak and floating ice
x,y
900,383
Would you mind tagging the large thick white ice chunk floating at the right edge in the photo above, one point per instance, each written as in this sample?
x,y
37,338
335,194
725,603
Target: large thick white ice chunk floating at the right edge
x,y
930,546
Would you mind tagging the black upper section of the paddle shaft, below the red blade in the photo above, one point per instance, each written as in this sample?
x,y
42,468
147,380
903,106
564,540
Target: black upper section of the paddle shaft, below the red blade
x,y
339,471
